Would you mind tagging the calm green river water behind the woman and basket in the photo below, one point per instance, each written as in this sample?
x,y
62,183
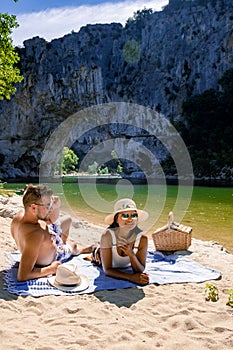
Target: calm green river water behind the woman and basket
x,y
209,212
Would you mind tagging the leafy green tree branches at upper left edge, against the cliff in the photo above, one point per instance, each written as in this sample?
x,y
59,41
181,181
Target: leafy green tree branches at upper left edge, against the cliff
x,y
9,72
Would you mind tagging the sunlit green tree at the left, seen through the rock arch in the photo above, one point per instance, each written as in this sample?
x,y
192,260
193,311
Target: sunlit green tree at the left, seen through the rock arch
x,y
68,162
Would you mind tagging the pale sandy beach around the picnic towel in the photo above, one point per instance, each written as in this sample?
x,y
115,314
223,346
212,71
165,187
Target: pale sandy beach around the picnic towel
x,y
174,316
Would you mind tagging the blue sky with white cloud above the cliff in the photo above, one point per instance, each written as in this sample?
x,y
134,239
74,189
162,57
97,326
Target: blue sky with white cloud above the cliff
x,y
50,19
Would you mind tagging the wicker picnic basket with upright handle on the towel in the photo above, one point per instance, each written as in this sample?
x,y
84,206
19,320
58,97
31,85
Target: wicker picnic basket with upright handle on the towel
x,y
172,236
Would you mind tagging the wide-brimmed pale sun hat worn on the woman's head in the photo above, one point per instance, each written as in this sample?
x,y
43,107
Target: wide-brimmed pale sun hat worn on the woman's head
x,y
126,204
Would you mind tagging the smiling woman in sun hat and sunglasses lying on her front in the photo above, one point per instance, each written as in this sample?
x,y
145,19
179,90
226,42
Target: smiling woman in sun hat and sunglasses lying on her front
x,y
123,244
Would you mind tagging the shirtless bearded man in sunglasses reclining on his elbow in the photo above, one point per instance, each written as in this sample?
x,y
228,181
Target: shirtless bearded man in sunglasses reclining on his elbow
x,y
41,254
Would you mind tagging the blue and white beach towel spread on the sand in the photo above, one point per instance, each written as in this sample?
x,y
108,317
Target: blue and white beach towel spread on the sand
x,y
161,269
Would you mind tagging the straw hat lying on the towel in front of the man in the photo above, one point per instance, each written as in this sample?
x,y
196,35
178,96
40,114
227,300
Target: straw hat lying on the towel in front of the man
x,y
68,279
